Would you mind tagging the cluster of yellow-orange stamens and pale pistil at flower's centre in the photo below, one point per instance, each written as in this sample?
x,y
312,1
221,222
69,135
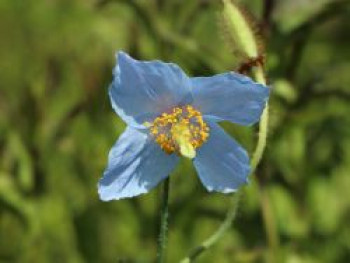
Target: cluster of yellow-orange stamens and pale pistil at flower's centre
x,y
181,130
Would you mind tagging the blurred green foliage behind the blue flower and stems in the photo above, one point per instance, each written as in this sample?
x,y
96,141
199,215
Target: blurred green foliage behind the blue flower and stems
x,y
57,126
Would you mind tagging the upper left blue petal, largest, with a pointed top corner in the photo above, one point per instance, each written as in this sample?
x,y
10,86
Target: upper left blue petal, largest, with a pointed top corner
x,y
142,90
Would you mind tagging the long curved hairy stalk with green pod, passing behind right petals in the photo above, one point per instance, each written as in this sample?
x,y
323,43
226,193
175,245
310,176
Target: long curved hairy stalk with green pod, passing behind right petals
x,y
242,37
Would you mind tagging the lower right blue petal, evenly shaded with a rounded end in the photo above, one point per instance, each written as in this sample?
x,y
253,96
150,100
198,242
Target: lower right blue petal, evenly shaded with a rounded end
x,y
222,164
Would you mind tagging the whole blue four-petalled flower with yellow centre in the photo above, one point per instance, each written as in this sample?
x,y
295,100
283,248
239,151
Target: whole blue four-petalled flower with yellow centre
x,y
170,115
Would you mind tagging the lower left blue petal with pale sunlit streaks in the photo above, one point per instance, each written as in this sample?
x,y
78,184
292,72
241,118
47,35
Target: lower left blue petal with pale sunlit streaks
x,y
136,164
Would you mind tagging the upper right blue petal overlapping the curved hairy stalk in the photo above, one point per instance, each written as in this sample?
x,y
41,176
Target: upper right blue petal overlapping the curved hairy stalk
x,y
229,96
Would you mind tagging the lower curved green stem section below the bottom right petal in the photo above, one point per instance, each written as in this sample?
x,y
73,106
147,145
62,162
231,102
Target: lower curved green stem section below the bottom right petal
x,y
231,214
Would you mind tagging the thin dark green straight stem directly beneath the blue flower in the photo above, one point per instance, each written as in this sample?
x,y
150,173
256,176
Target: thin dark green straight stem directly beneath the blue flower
x,y
163,233
